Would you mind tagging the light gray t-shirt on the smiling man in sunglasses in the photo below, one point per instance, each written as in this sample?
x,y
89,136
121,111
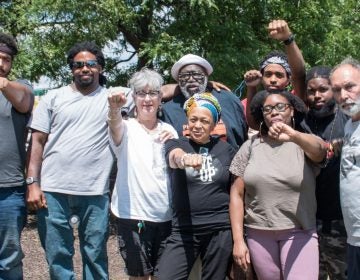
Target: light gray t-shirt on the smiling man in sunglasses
x,y
77,158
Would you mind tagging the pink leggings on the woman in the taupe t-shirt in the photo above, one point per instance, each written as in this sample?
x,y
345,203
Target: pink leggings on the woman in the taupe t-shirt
x,y
284,254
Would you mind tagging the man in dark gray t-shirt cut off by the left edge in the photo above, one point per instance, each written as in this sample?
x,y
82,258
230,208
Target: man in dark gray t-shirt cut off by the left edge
x,y
16,102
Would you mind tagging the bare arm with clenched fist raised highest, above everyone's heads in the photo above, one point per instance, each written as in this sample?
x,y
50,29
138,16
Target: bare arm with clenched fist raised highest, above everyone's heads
x,y
279,30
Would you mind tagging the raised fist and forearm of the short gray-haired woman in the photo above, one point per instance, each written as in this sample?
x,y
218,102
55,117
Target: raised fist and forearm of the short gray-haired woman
x,y
115,123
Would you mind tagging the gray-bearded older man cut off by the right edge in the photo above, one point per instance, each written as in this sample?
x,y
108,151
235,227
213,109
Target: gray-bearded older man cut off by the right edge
x,y
345,83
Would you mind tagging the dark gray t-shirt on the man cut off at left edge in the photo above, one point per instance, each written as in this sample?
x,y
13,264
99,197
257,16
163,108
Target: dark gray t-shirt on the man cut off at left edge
x,y
12,143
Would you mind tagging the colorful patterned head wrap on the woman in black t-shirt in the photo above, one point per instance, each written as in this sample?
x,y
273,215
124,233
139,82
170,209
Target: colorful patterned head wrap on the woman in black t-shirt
x,y
206,100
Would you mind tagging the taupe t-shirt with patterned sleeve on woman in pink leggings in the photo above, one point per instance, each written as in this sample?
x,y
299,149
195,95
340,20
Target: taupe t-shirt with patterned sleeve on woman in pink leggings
x,y
279,185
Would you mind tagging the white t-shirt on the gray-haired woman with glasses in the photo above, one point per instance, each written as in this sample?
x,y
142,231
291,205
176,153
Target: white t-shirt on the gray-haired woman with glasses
x,y
142,189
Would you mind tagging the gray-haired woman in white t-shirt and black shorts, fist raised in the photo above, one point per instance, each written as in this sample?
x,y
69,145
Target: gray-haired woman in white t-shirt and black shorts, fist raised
x,y
140,200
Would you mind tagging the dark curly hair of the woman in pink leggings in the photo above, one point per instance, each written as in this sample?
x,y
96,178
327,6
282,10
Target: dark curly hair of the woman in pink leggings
x,y
258,101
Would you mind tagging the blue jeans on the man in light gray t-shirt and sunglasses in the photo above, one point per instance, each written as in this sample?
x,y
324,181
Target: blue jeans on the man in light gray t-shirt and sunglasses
x,y
57,238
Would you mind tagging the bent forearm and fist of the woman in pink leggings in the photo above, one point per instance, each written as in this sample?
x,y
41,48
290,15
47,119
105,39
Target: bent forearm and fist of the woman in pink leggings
x,y
313,146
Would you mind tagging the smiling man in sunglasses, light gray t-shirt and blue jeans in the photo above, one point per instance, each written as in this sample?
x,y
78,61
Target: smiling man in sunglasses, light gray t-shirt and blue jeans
x,y
69,167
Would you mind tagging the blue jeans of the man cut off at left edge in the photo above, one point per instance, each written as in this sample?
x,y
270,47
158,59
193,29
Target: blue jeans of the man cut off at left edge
x,y
12,221
